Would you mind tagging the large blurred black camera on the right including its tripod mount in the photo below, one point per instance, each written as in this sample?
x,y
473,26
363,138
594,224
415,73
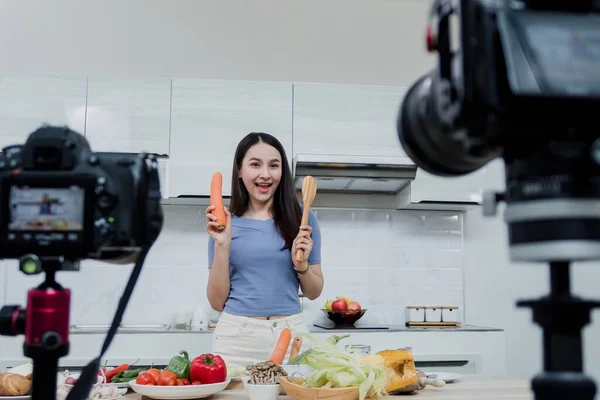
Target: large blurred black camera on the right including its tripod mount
x,y
520,80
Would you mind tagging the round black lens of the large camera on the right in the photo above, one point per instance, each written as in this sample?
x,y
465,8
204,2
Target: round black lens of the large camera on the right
x,y
426,133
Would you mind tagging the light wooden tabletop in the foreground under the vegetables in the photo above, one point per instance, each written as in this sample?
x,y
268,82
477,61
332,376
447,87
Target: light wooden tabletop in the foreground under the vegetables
x,y
470,387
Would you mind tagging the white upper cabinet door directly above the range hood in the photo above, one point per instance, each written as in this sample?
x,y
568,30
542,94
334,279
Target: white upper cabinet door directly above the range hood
x,y
346,119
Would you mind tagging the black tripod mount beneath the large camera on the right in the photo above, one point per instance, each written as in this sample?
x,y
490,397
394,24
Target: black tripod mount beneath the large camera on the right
x,y
562,318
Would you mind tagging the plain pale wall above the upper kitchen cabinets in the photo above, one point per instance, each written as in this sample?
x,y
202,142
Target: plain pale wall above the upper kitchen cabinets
x,y
345,41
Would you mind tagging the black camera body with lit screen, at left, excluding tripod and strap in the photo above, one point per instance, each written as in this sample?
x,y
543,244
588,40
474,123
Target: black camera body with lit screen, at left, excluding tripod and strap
x,y
59,198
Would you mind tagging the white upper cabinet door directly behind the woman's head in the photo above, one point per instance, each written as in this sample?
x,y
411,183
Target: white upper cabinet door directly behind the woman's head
x,y
209,118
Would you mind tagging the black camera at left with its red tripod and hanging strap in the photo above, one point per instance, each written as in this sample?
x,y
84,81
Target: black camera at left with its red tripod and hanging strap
x,y
60,202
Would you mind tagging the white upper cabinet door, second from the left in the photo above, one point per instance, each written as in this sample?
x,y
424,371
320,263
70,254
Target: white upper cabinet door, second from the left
x,y
130,115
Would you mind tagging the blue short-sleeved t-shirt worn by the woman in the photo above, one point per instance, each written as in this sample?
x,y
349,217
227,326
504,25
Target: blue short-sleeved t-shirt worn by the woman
x,y
263,279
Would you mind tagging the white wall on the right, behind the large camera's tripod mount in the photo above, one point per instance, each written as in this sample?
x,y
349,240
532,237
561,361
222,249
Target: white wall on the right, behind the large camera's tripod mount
x,y
488,269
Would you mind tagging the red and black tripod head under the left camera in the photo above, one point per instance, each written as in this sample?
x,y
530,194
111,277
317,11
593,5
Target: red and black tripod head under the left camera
x,y
45,324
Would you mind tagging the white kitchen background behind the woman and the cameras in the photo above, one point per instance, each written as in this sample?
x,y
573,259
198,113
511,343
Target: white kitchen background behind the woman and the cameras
x,y
187,80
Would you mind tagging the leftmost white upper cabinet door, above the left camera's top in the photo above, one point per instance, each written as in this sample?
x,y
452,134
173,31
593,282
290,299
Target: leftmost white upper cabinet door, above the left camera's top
x,y
28,102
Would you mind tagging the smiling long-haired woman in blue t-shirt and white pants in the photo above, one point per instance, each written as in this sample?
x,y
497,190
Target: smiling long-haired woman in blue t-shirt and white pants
x,y
253,273
